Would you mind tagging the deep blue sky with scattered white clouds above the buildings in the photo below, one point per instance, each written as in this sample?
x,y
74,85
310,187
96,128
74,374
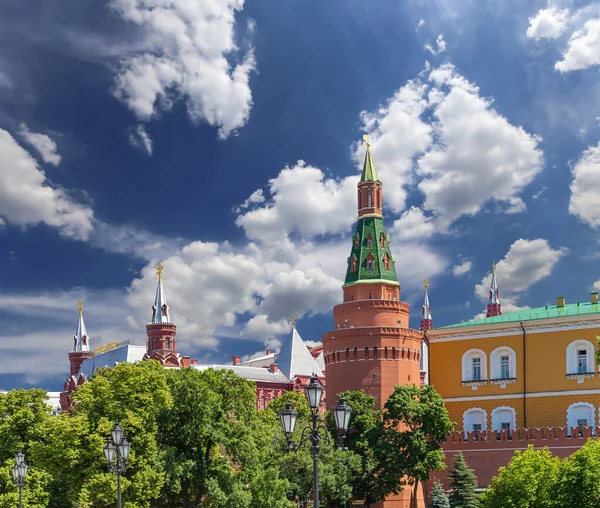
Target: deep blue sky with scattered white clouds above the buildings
x,y
223,139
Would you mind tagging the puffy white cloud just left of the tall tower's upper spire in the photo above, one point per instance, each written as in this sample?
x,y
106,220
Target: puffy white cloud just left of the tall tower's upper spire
x,y
303,201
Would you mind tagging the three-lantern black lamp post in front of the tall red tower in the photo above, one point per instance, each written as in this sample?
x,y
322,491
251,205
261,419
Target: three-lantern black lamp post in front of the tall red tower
x,y
314,393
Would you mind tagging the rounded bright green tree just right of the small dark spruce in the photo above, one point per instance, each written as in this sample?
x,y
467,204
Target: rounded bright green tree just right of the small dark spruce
x,y
528,481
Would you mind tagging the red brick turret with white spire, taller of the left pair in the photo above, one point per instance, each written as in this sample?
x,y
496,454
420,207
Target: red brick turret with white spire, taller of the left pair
x,y
161,332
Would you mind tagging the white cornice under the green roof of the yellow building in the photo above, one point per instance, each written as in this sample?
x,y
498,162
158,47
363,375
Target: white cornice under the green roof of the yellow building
x,y
513,328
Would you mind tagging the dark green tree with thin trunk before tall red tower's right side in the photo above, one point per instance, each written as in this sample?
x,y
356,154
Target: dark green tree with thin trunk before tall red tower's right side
x,y
409,441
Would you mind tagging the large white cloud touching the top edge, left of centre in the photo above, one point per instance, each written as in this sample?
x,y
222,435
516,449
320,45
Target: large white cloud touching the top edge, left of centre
x,y
189,53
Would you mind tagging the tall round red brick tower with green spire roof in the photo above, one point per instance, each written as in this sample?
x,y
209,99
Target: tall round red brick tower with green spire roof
x,y
371,347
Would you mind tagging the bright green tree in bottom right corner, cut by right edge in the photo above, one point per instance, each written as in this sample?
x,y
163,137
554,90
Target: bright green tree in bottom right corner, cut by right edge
x,y
577,477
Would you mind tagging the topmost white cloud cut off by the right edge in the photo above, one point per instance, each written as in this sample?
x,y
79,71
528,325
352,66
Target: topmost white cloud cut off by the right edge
x,y
583,50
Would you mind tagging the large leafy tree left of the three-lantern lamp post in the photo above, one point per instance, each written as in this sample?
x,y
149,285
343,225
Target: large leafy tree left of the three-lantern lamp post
x,y
215,445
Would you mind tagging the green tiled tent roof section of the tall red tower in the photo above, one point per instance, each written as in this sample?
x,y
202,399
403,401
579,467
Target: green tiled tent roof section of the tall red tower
x,y
362,252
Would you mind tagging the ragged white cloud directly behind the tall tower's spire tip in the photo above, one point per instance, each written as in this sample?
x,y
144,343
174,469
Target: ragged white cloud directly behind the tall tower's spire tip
x,y
397,134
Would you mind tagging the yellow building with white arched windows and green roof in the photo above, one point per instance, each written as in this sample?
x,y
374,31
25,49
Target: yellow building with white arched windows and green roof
x,y
532,368
